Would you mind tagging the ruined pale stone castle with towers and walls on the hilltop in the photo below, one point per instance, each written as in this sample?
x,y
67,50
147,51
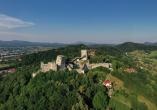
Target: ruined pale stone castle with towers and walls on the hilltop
x,y
80,64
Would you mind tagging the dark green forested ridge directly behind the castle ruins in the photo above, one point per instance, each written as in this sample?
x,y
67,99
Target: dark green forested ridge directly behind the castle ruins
x,y
72,51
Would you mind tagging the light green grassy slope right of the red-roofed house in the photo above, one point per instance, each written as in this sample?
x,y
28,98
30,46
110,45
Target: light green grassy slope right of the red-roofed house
x,y
127,97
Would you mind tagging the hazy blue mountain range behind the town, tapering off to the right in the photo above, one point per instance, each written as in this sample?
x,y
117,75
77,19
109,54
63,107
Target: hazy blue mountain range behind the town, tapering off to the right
x,y
17,43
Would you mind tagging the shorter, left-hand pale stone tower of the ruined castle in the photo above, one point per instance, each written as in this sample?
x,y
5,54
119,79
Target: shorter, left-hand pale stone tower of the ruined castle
x,y
60,61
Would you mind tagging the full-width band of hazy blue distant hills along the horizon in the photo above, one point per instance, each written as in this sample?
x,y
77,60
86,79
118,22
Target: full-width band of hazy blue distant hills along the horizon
x,y
128,46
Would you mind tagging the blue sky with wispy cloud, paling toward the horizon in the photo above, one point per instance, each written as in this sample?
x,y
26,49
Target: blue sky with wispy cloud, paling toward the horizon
x,y
69,21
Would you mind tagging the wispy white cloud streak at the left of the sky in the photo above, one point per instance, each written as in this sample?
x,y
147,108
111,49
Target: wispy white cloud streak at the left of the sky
x,y
8,22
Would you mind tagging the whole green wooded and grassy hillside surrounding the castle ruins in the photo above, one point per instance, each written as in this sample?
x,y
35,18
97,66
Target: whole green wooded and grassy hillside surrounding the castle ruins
x,y
134,79
